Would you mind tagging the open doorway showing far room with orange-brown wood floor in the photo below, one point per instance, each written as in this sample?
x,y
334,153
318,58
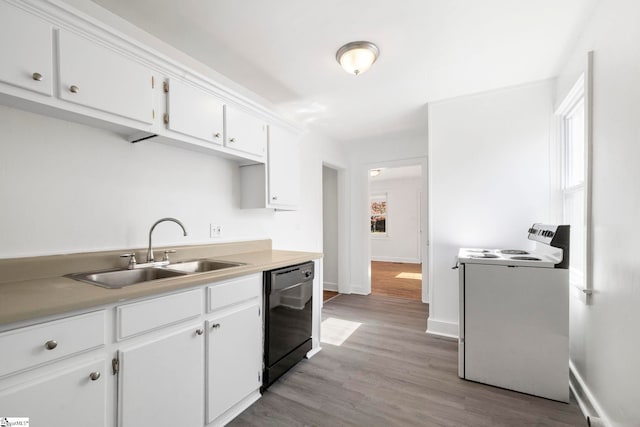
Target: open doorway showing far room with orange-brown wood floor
x,y
396,227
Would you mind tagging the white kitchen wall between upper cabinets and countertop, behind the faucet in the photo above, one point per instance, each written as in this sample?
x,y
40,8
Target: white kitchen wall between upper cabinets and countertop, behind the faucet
x,y
71,188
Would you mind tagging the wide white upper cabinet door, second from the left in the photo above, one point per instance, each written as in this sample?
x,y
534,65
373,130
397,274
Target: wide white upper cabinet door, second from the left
x,y
100,78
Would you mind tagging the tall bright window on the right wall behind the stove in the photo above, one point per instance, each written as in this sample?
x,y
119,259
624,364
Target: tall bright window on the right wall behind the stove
x,y
573,143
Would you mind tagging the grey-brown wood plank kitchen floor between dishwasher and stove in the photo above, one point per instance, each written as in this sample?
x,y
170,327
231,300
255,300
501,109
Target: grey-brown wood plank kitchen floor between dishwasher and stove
x,y
390,373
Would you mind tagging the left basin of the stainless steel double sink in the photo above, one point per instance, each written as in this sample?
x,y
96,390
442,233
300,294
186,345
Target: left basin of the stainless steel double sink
x,y
121,278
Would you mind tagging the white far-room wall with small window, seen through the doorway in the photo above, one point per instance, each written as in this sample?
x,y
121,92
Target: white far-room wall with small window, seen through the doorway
x,y
402,242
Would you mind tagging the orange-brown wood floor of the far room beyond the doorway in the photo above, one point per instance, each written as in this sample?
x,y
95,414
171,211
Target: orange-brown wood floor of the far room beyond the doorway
x,y
396,279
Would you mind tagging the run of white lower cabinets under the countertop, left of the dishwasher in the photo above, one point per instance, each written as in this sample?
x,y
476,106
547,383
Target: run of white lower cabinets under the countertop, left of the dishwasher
x,y
143,363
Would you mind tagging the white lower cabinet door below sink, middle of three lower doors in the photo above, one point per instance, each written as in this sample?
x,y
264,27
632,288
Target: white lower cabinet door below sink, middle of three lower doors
x,y
161,381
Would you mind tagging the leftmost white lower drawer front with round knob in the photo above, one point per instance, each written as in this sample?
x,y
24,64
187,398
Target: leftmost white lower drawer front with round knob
x,y
34,345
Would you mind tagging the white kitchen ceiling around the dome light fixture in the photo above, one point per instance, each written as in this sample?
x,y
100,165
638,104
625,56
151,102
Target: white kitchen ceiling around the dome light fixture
x,y
284,51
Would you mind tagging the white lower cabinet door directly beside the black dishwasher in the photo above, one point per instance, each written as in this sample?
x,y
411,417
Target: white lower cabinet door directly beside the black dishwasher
x,y
234,359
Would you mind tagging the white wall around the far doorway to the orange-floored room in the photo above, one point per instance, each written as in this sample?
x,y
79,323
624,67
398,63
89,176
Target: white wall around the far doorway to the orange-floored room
x,y
391,150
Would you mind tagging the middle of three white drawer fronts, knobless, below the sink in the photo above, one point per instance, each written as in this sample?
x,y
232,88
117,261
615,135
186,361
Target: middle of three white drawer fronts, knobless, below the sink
x,y
143,316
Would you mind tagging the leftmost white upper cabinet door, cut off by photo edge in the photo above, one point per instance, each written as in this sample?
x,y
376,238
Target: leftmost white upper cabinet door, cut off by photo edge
x,y
25,47
